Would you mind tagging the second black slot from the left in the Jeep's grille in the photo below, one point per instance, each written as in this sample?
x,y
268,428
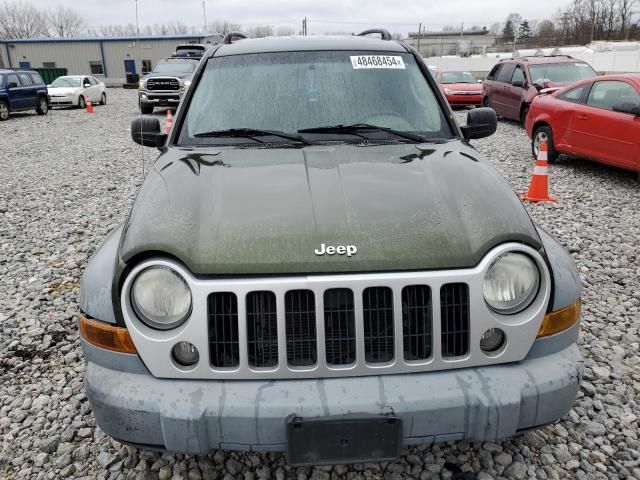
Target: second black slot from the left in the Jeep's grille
x,y
262,329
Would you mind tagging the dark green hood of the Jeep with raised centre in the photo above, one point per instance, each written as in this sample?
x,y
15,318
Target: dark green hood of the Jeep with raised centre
x,y
265,210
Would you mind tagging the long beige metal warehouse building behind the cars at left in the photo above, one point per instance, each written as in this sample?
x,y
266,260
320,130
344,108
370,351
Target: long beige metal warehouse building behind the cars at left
x,y
109,58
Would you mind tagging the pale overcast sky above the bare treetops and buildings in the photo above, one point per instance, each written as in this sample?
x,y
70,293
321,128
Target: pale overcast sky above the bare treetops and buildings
x,y
323,15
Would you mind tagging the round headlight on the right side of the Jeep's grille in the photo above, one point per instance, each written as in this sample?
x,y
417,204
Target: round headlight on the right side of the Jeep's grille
x,y
511,283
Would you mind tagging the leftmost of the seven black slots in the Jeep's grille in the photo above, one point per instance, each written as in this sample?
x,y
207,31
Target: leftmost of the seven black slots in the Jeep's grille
x,y
224,347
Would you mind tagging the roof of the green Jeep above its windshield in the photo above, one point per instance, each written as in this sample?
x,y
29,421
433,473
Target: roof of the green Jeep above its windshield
x,y
309,43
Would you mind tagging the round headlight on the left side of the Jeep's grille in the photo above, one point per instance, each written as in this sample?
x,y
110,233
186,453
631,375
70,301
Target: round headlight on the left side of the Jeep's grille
x,y
161,298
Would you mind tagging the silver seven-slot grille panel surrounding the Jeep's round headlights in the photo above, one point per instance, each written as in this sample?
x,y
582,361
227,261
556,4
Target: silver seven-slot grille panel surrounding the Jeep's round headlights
x,y
322,322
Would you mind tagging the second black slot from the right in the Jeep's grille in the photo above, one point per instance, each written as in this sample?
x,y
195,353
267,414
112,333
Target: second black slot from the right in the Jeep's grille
x,y
417,322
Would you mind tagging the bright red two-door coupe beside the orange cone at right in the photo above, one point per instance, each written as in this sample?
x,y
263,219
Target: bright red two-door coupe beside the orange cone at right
x,y
597,118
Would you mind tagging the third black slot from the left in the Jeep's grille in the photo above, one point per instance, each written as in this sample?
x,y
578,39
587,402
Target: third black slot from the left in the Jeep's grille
x,y
300,318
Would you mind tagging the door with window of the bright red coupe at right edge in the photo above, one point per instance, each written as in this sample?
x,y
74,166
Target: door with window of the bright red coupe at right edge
x,y
602,134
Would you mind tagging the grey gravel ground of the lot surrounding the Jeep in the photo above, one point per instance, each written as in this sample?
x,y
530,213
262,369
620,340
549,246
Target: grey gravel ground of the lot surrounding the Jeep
x,y
68,178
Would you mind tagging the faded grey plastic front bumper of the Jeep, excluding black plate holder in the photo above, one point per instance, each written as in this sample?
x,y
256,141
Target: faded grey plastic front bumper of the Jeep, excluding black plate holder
x,y
196,416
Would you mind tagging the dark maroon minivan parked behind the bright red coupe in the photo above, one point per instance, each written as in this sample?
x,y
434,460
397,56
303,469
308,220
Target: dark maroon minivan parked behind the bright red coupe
x,y
513,83
